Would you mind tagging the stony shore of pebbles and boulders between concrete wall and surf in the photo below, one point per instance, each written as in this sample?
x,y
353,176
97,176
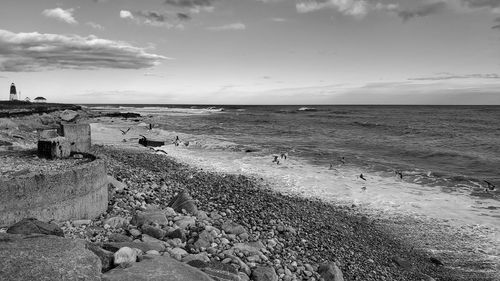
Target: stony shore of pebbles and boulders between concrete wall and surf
x,y
246,225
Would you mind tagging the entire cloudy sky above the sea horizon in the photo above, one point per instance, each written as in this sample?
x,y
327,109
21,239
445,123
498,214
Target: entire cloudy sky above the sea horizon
x,y
252,51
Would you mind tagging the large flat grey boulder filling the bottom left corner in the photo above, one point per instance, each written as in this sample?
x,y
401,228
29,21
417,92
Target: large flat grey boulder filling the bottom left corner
x,y
46,257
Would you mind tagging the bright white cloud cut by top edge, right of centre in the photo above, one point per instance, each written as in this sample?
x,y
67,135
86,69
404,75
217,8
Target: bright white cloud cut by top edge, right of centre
x,y
356,8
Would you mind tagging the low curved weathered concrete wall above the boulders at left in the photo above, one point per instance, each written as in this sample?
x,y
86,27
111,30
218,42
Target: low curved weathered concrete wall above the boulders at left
x,y
77,193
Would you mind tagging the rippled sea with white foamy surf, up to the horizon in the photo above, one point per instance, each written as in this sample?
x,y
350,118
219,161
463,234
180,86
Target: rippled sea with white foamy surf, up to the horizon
x,y
436,162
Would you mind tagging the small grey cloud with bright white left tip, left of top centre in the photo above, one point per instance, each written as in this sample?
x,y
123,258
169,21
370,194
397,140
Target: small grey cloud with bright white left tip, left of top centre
x,y
155,18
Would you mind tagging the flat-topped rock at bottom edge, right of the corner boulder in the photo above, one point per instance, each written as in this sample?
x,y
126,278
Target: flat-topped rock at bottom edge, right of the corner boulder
x,y
157,269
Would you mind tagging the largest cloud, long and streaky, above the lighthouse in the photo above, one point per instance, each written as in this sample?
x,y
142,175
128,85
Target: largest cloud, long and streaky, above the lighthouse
x,y
41,51
